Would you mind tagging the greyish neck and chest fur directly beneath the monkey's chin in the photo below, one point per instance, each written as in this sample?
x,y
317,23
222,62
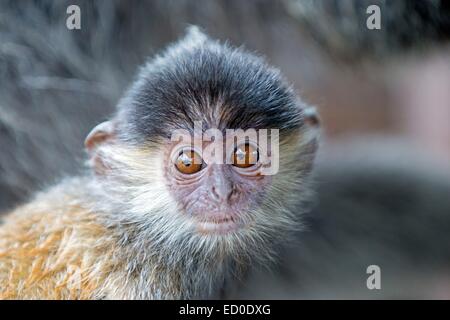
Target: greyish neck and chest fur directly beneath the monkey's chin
x,y
177,274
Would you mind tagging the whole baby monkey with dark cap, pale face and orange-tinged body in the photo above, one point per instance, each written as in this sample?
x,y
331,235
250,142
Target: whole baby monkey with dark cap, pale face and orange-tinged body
x,y
154,218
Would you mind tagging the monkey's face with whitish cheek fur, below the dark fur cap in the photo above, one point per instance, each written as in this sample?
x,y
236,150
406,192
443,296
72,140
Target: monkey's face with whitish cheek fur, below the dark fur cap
x,y
180,185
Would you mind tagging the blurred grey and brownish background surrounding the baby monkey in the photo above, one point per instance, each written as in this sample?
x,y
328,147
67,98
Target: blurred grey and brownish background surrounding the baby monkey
x,y
383,96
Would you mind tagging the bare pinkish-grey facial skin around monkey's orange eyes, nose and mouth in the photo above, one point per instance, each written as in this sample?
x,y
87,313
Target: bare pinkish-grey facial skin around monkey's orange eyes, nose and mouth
x,y
217,195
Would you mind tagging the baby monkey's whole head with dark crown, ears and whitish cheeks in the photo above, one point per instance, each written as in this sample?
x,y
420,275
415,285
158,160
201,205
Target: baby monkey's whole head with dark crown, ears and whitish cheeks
x,y
153,161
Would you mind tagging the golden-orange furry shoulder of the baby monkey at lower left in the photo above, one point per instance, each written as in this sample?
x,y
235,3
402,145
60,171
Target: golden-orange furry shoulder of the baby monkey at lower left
x,y
55,247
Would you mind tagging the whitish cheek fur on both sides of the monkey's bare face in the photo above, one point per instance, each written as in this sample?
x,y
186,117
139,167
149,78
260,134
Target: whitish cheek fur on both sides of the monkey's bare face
x,y
141,185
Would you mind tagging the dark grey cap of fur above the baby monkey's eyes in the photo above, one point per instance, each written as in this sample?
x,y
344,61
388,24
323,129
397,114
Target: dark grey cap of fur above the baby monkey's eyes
x,y
222,87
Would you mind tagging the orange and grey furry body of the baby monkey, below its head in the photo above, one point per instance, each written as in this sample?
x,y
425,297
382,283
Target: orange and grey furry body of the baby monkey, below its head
x,y
62,250
